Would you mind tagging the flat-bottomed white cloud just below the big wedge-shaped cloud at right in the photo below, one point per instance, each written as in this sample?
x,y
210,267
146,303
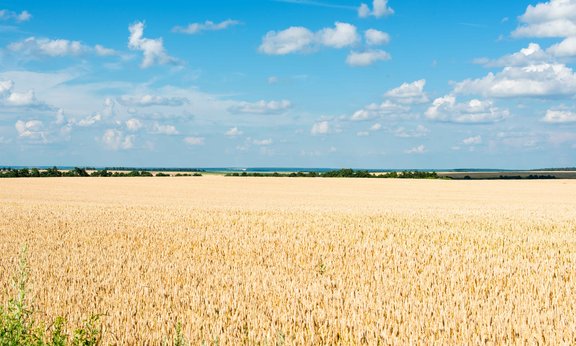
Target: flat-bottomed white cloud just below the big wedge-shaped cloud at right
x,y
474,111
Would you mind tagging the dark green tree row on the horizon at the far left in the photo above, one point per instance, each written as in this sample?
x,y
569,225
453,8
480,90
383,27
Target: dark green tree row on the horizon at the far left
x,y
78,172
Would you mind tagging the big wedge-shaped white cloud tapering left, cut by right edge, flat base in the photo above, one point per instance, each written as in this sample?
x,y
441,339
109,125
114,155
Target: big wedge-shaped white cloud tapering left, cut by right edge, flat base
x,y
542,80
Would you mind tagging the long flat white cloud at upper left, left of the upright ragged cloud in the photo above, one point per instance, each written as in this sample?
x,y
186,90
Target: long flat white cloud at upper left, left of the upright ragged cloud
x,y
38,47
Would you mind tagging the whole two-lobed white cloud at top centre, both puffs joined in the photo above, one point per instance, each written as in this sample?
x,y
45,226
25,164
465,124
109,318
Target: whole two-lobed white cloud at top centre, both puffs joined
x,y
300,39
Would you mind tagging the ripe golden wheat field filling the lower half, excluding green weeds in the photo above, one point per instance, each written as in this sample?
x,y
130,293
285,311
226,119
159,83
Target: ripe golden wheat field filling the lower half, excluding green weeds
x,y
298,261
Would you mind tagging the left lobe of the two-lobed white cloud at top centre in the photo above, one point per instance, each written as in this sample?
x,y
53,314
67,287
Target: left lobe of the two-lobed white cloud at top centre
x,y
292,40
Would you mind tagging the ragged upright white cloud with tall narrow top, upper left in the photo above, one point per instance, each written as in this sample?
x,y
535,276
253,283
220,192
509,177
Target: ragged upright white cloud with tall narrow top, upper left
x,y
152,49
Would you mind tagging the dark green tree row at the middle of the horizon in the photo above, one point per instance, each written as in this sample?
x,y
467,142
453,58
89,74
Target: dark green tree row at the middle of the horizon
x,y
343,173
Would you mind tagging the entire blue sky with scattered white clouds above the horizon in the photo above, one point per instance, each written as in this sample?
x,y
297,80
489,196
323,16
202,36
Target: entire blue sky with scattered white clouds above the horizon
x,y
293,83
